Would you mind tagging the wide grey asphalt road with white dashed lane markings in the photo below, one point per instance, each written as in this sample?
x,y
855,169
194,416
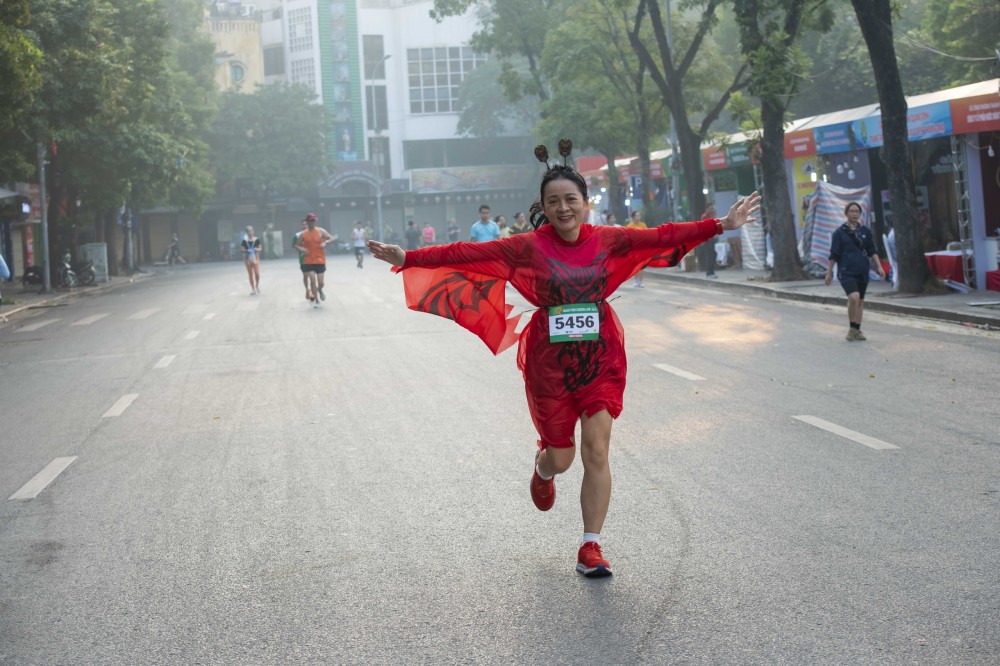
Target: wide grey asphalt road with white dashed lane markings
x,y
246,480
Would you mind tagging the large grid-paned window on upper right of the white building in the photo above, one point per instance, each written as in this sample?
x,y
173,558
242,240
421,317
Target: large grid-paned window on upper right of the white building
x,y
435,74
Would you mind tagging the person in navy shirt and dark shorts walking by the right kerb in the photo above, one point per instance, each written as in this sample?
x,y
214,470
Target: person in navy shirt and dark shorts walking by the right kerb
x,y
852,251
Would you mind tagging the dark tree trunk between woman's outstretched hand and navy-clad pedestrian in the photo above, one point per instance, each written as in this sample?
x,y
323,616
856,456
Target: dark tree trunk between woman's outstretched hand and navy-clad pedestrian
x,y
777,204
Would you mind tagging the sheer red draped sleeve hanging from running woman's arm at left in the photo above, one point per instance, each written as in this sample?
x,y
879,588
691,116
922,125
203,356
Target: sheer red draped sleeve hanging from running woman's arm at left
x,y
465,282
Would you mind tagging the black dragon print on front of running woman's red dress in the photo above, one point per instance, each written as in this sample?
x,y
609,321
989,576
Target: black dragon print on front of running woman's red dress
x,y
580,361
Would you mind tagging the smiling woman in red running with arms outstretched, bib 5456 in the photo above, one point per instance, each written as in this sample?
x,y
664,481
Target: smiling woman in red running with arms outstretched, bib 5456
x,y
572,352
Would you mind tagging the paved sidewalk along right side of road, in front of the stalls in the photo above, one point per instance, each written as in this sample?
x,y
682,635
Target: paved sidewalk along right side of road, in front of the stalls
x,y
952,306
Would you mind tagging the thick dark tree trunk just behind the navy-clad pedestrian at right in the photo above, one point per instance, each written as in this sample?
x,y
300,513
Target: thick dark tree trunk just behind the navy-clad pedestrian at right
x,y
875,20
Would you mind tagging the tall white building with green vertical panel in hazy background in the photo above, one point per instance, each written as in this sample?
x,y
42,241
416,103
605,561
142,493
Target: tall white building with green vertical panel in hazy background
x,y
389,75
